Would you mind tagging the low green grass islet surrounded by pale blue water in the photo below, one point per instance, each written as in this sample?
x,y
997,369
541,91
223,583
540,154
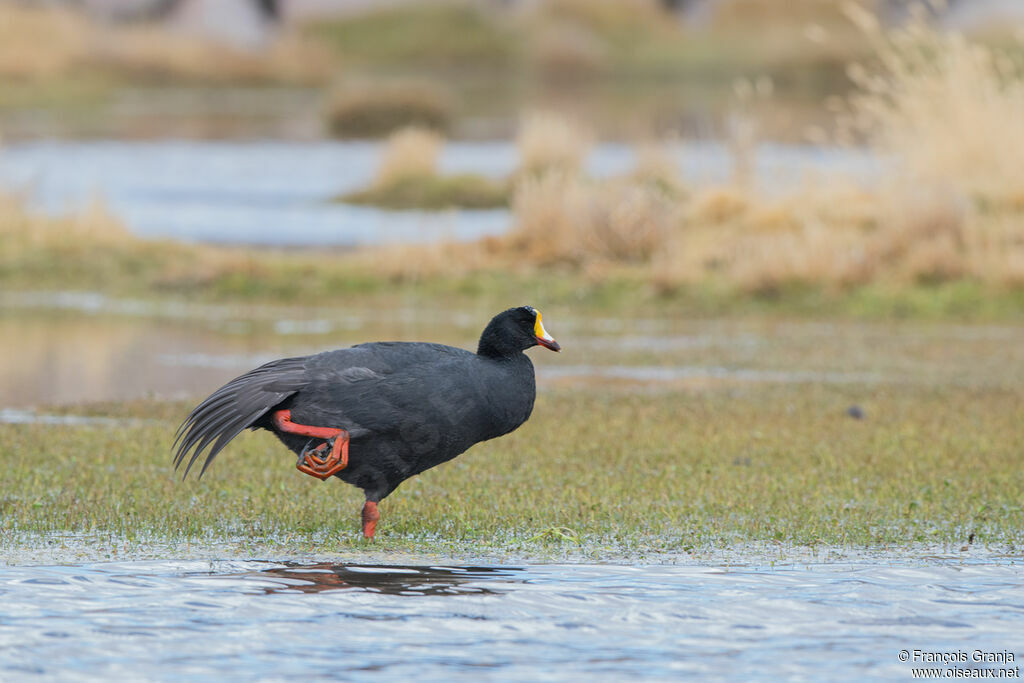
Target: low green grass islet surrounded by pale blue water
x,y
465,191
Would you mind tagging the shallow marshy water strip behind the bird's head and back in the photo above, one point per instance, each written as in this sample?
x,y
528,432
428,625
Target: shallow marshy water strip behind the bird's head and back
x,y
73,349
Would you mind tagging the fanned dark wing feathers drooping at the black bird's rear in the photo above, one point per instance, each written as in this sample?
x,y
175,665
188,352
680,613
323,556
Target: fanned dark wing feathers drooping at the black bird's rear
x,y
236,406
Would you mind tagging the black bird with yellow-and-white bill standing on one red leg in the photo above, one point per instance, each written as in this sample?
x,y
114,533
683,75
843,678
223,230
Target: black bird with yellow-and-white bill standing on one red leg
x,y
376,414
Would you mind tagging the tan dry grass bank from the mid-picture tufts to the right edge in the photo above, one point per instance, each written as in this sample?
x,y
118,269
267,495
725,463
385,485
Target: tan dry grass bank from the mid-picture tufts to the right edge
x,y
945,117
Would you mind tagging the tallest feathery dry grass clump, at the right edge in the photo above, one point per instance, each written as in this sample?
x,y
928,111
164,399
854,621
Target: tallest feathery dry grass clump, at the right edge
x,y
949,114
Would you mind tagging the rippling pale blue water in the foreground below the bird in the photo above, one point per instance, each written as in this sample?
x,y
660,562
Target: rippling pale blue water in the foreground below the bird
x,y
244,620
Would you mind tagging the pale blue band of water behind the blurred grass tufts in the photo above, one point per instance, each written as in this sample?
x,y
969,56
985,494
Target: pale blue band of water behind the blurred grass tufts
x,y
275,193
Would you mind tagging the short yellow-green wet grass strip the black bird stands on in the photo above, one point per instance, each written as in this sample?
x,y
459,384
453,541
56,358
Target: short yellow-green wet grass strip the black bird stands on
x,y
610,472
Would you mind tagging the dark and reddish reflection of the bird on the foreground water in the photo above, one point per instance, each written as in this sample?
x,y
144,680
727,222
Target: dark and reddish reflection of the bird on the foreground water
x,y
393,580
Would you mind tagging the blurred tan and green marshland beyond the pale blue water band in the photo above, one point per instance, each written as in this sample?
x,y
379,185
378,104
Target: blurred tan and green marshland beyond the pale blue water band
x,y
629,68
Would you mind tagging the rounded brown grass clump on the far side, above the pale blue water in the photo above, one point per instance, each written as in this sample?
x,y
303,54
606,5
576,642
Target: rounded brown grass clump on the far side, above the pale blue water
x,y
379,111
